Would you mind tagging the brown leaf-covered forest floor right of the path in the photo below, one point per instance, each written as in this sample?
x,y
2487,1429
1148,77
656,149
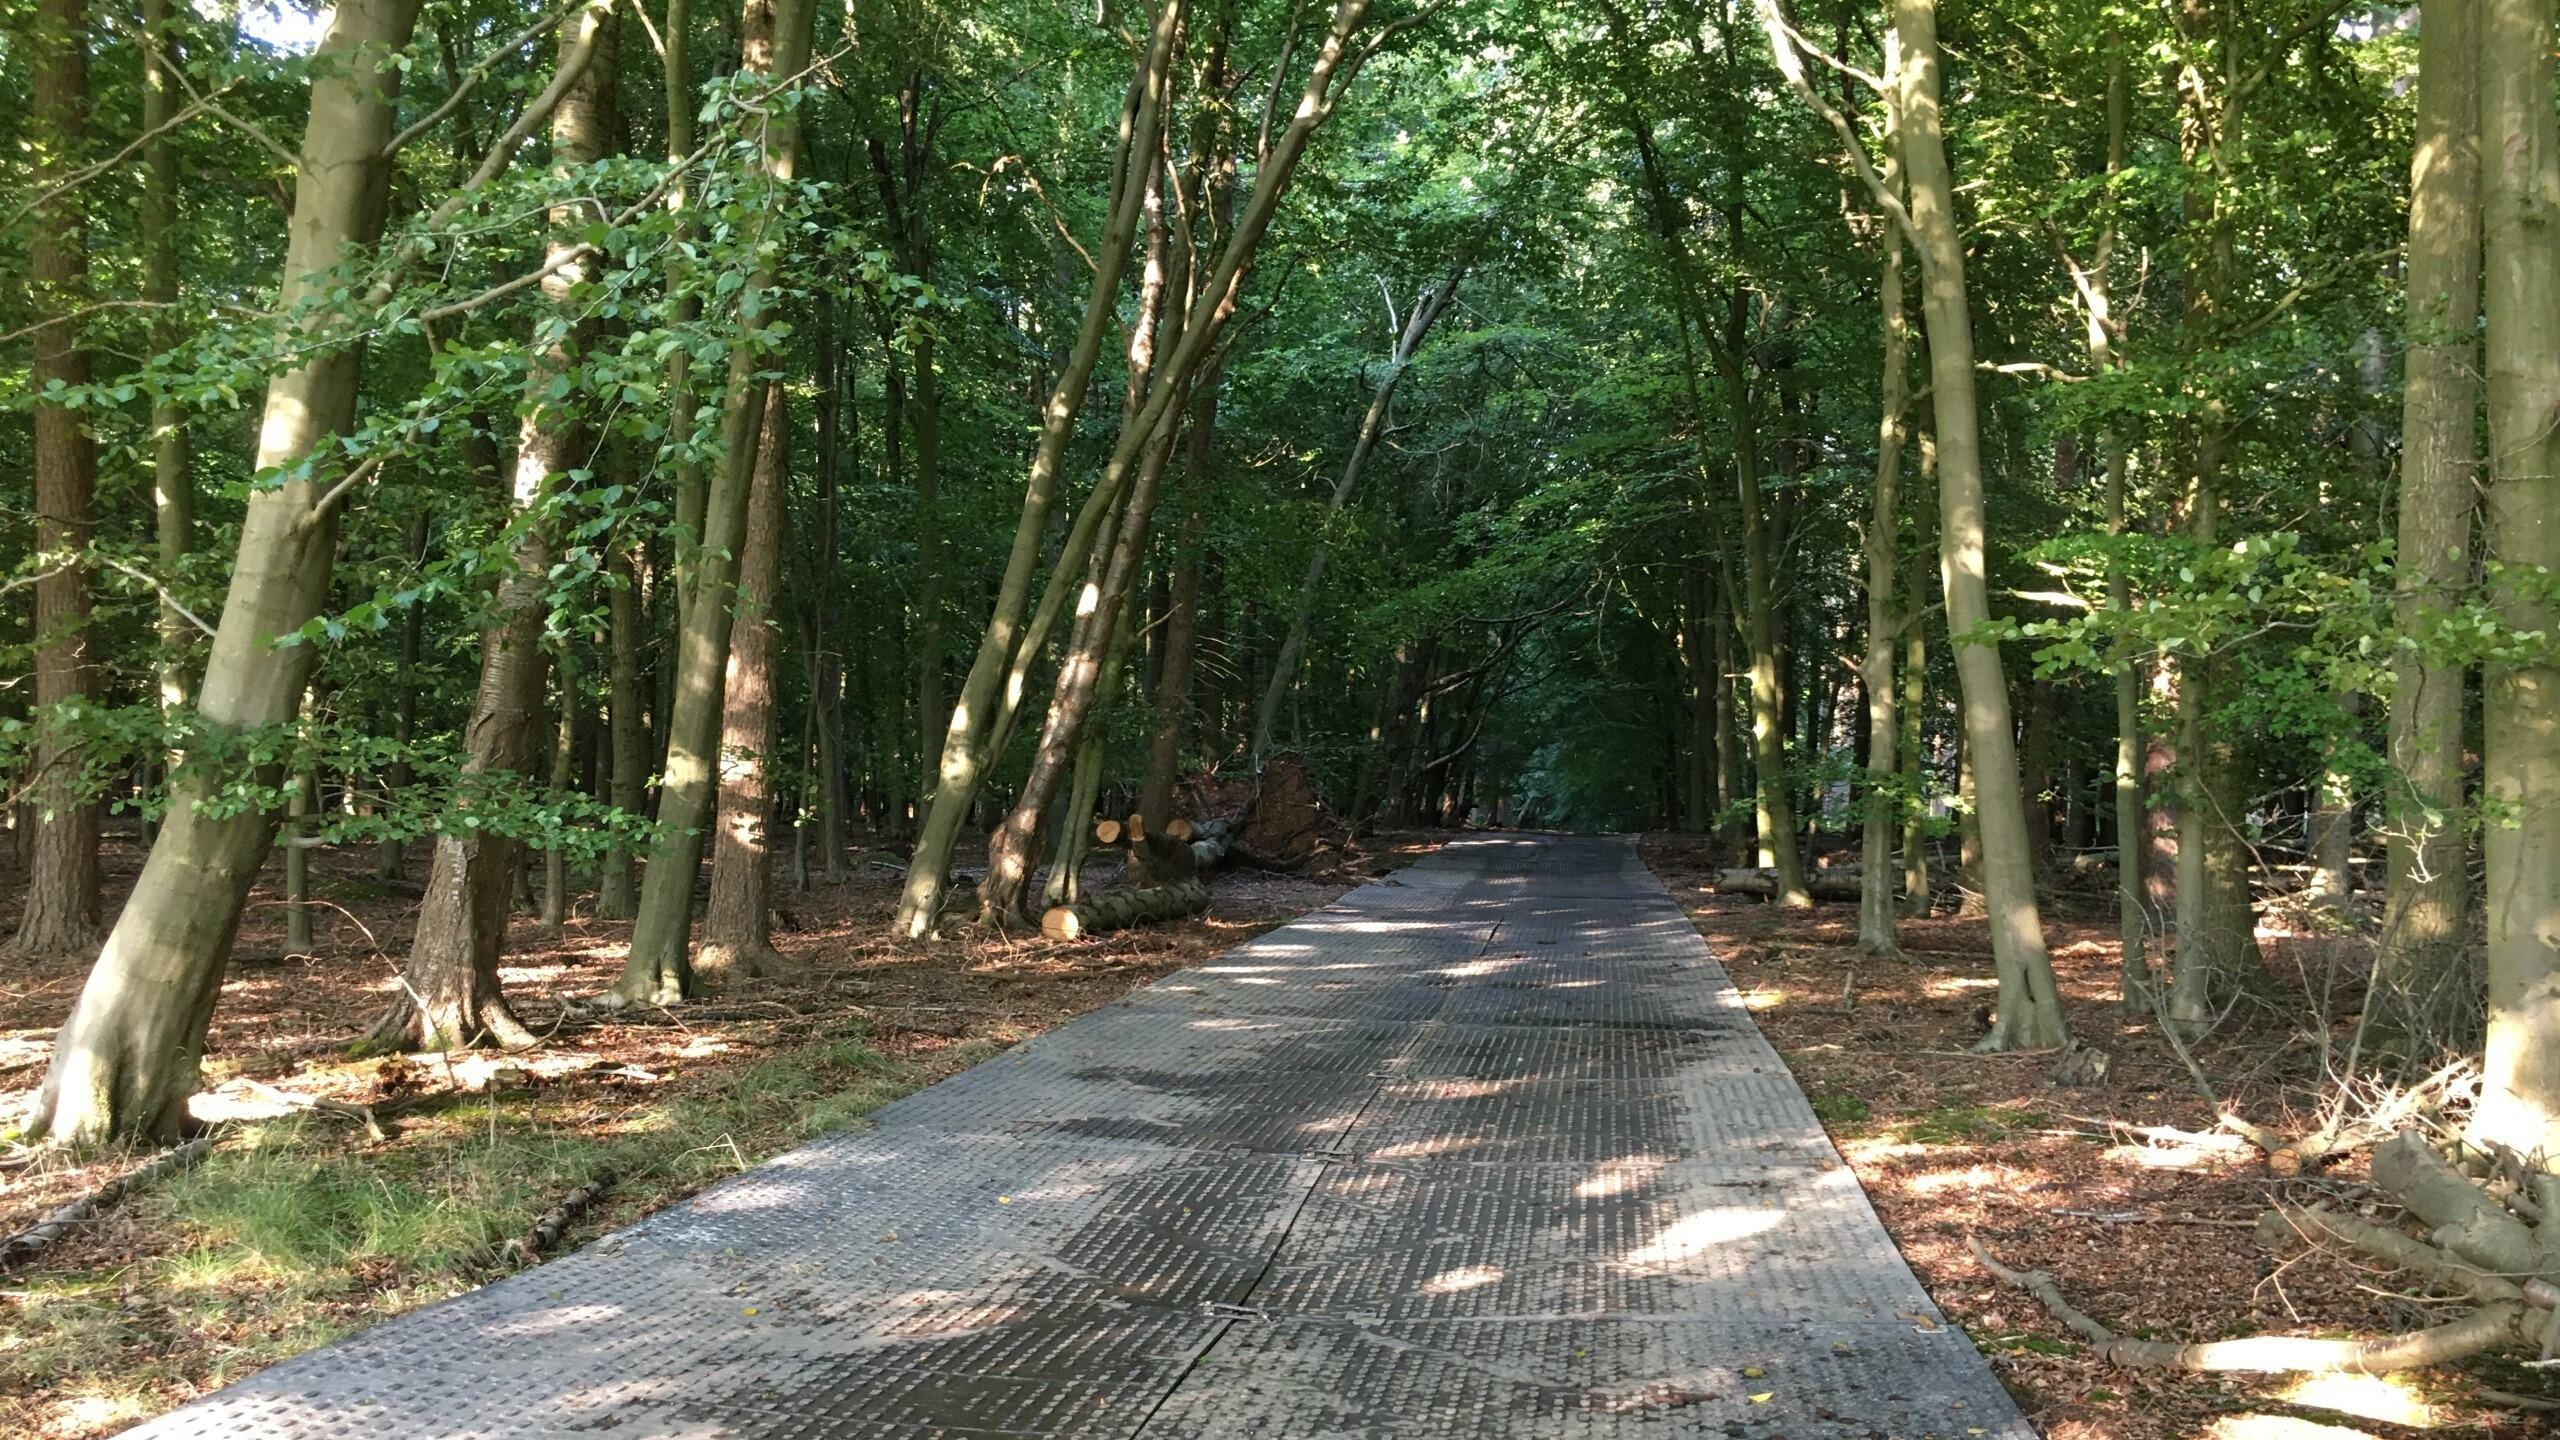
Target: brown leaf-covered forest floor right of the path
x,y
2152,1239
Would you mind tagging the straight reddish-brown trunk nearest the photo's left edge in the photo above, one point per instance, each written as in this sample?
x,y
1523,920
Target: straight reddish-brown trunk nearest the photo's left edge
x,y
60,911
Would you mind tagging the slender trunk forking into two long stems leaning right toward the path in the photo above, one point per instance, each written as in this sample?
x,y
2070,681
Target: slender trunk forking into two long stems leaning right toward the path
x,y
992,693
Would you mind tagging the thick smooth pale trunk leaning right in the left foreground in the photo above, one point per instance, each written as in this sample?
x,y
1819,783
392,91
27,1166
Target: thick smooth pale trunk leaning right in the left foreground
x,y
129,1054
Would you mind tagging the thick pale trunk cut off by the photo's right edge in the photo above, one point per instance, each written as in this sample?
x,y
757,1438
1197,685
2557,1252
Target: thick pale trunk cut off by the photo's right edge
x,y
2520,278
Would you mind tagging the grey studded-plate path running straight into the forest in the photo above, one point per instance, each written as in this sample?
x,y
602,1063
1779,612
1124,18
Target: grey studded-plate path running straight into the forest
x,y
1484,1149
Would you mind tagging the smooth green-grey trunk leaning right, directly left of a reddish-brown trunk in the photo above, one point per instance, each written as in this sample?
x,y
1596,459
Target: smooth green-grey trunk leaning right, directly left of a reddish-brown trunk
x,y
659,967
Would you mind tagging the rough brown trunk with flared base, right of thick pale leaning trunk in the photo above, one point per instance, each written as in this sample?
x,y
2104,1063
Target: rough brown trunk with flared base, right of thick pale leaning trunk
x,y
449,990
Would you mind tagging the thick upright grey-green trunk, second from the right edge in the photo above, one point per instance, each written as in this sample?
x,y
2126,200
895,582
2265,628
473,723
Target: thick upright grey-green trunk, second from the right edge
x,y
2418,975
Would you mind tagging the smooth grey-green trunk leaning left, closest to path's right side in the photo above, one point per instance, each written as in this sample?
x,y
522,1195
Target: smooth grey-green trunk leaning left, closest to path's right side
x,y
2029,1013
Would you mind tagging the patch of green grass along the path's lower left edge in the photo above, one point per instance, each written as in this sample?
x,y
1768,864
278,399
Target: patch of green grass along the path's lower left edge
x,y
293,1234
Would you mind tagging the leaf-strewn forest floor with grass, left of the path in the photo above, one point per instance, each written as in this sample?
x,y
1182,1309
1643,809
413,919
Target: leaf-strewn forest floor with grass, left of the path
x,y
419,1172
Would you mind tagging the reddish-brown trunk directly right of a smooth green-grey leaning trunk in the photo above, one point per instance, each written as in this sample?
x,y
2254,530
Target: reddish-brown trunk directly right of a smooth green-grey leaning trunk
x,y
739,919
